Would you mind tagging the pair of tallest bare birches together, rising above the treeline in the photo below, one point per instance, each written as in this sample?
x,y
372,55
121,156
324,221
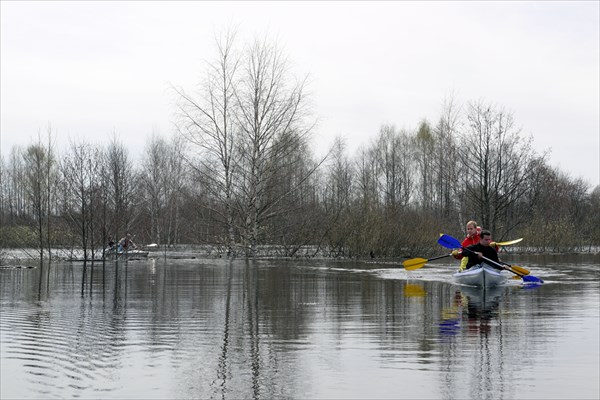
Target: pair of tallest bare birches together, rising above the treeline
x,y
245,122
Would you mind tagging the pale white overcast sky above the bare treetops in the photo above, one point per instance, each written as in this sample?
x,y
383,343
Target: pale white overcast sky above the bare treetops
x,y
93,68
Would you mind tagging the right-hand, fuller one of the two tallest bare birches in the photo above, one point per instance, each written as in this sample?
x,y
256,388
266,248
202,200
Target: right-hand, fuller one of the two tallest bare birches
x,y
271,108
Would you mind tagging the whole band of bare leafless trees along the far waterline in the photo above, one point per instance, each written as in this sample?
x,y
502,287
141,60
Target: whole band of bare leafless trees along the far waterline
x,y
239,173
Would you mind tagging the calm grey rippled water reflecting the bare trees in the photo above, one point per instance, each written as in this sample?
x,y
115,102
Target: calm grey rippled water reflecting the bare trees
x,y
297,329
